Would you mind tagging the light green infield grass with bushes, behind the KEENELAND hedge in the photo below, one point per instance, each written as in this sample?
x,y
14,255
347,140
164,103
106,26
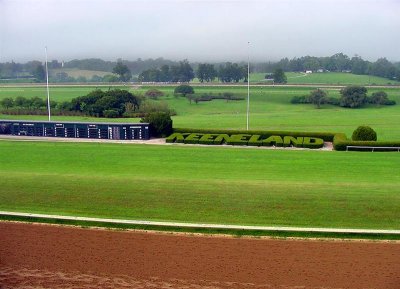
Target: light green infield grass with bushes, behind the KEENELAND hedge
x,y
270,109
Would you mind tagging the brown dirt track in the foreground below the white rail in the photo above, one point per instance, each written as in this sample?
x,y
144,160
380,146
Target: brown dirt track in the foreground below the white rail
x,y
48,256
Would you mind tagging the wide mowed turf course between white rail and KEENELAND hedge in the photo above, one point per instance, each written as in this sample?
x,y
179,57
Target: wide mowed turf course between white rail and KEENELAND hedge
x,y
202,184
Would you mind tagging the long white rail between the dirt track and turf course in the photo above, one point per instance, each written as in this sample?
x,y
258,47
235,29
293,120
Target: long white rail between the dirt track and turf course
x,y
206,226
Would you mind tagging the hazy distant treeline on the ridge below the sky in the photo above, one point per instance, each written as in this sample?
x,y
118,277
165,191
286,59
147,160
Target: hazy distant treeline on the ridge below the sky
x,y
163,70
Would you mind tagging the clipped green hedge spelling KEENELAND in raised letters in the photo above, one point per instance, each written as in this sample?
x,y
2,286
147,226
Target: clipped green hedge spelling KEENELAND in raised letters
x,y
245,139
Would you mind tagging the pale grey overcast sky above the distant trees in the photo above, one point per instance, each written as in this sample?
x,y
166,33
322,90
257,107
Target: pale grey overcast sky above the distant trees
x,y
198,30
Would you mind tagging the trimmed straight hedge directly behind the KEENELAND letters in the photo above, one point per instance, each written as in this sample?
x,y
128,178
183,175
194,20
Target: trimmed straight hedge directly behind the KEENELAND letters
x,y
326,136
